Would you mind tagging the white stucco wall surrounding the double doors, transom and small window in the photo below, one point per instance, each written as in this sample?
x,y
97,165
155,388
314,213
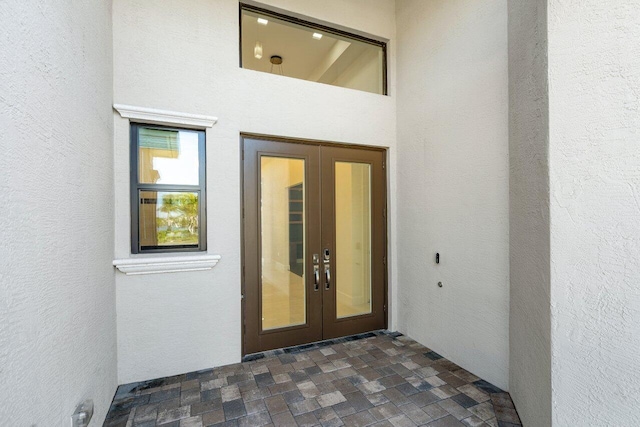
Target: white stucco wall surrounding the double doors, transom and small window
x,y
183,56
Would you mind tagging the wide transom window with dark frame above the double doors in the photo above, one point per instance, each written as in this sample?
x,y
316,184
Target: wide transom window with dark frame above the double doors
x,y
288,46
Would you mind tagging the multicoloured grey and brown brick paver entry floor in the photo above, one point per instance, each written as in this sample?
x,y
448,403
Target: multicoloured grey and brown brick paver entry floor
x,y
379,378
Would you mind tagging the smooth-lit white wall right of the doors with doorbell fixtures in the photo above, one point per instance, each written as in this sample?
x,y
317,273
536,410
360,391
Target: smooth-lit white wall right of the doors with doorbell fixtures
x,y
453,181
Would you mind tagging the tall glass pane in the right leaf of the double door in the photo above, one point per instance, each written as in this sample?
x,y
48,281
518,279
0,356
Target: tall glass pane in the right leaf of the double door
x,y
353,238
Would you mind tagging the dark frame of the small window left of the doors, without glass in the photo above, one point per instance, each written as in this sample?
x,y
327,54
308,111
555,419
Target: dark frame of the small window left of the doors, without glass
x,y
136,187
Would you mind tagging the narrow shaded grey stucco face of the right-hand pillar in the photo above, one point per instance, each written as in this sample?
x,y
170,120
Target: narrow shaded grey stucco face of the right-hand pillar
x,y
529,323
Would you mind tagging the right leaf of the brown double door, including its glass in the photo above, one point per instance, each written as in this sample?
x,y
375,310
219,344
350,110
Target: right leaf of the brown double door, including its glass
x,y
353,240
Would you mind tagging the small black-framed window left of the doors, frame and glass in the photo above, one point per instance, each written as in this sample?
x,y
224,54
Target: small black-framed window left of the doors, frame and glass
x,y
168,191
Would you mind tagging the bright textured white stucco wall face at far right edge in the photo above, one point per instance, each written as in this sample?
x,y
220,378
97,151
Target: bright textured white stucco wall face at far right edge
x,y
594,170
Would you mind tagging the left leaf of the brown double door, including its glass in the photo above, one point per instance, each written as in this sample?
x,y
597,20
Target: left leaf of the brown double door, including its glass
x,y
282,302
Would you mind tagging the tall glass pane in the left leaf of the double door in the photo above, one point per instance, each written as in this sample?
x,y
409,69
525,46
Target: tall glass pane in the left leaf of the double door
x,y
282,230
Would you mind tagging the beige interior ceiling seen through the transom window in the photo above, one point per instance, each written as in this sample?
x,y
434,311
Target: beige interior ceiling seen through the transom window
x,y
302,55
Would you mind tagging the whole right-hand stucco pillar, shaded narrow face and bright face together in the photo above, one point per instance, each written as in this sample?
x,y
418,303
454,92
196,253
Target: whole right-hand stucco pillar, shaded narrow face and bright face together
x,y
575,210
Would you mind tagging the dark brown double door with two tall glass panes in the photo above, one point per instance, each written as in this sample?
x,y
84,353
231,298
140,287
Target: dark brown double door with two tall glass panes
x,y
314,250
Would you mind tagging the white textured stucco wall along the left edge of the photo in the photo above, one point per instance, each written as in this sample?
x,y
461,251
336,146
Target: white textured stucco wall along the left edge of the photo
x,y
57,296
